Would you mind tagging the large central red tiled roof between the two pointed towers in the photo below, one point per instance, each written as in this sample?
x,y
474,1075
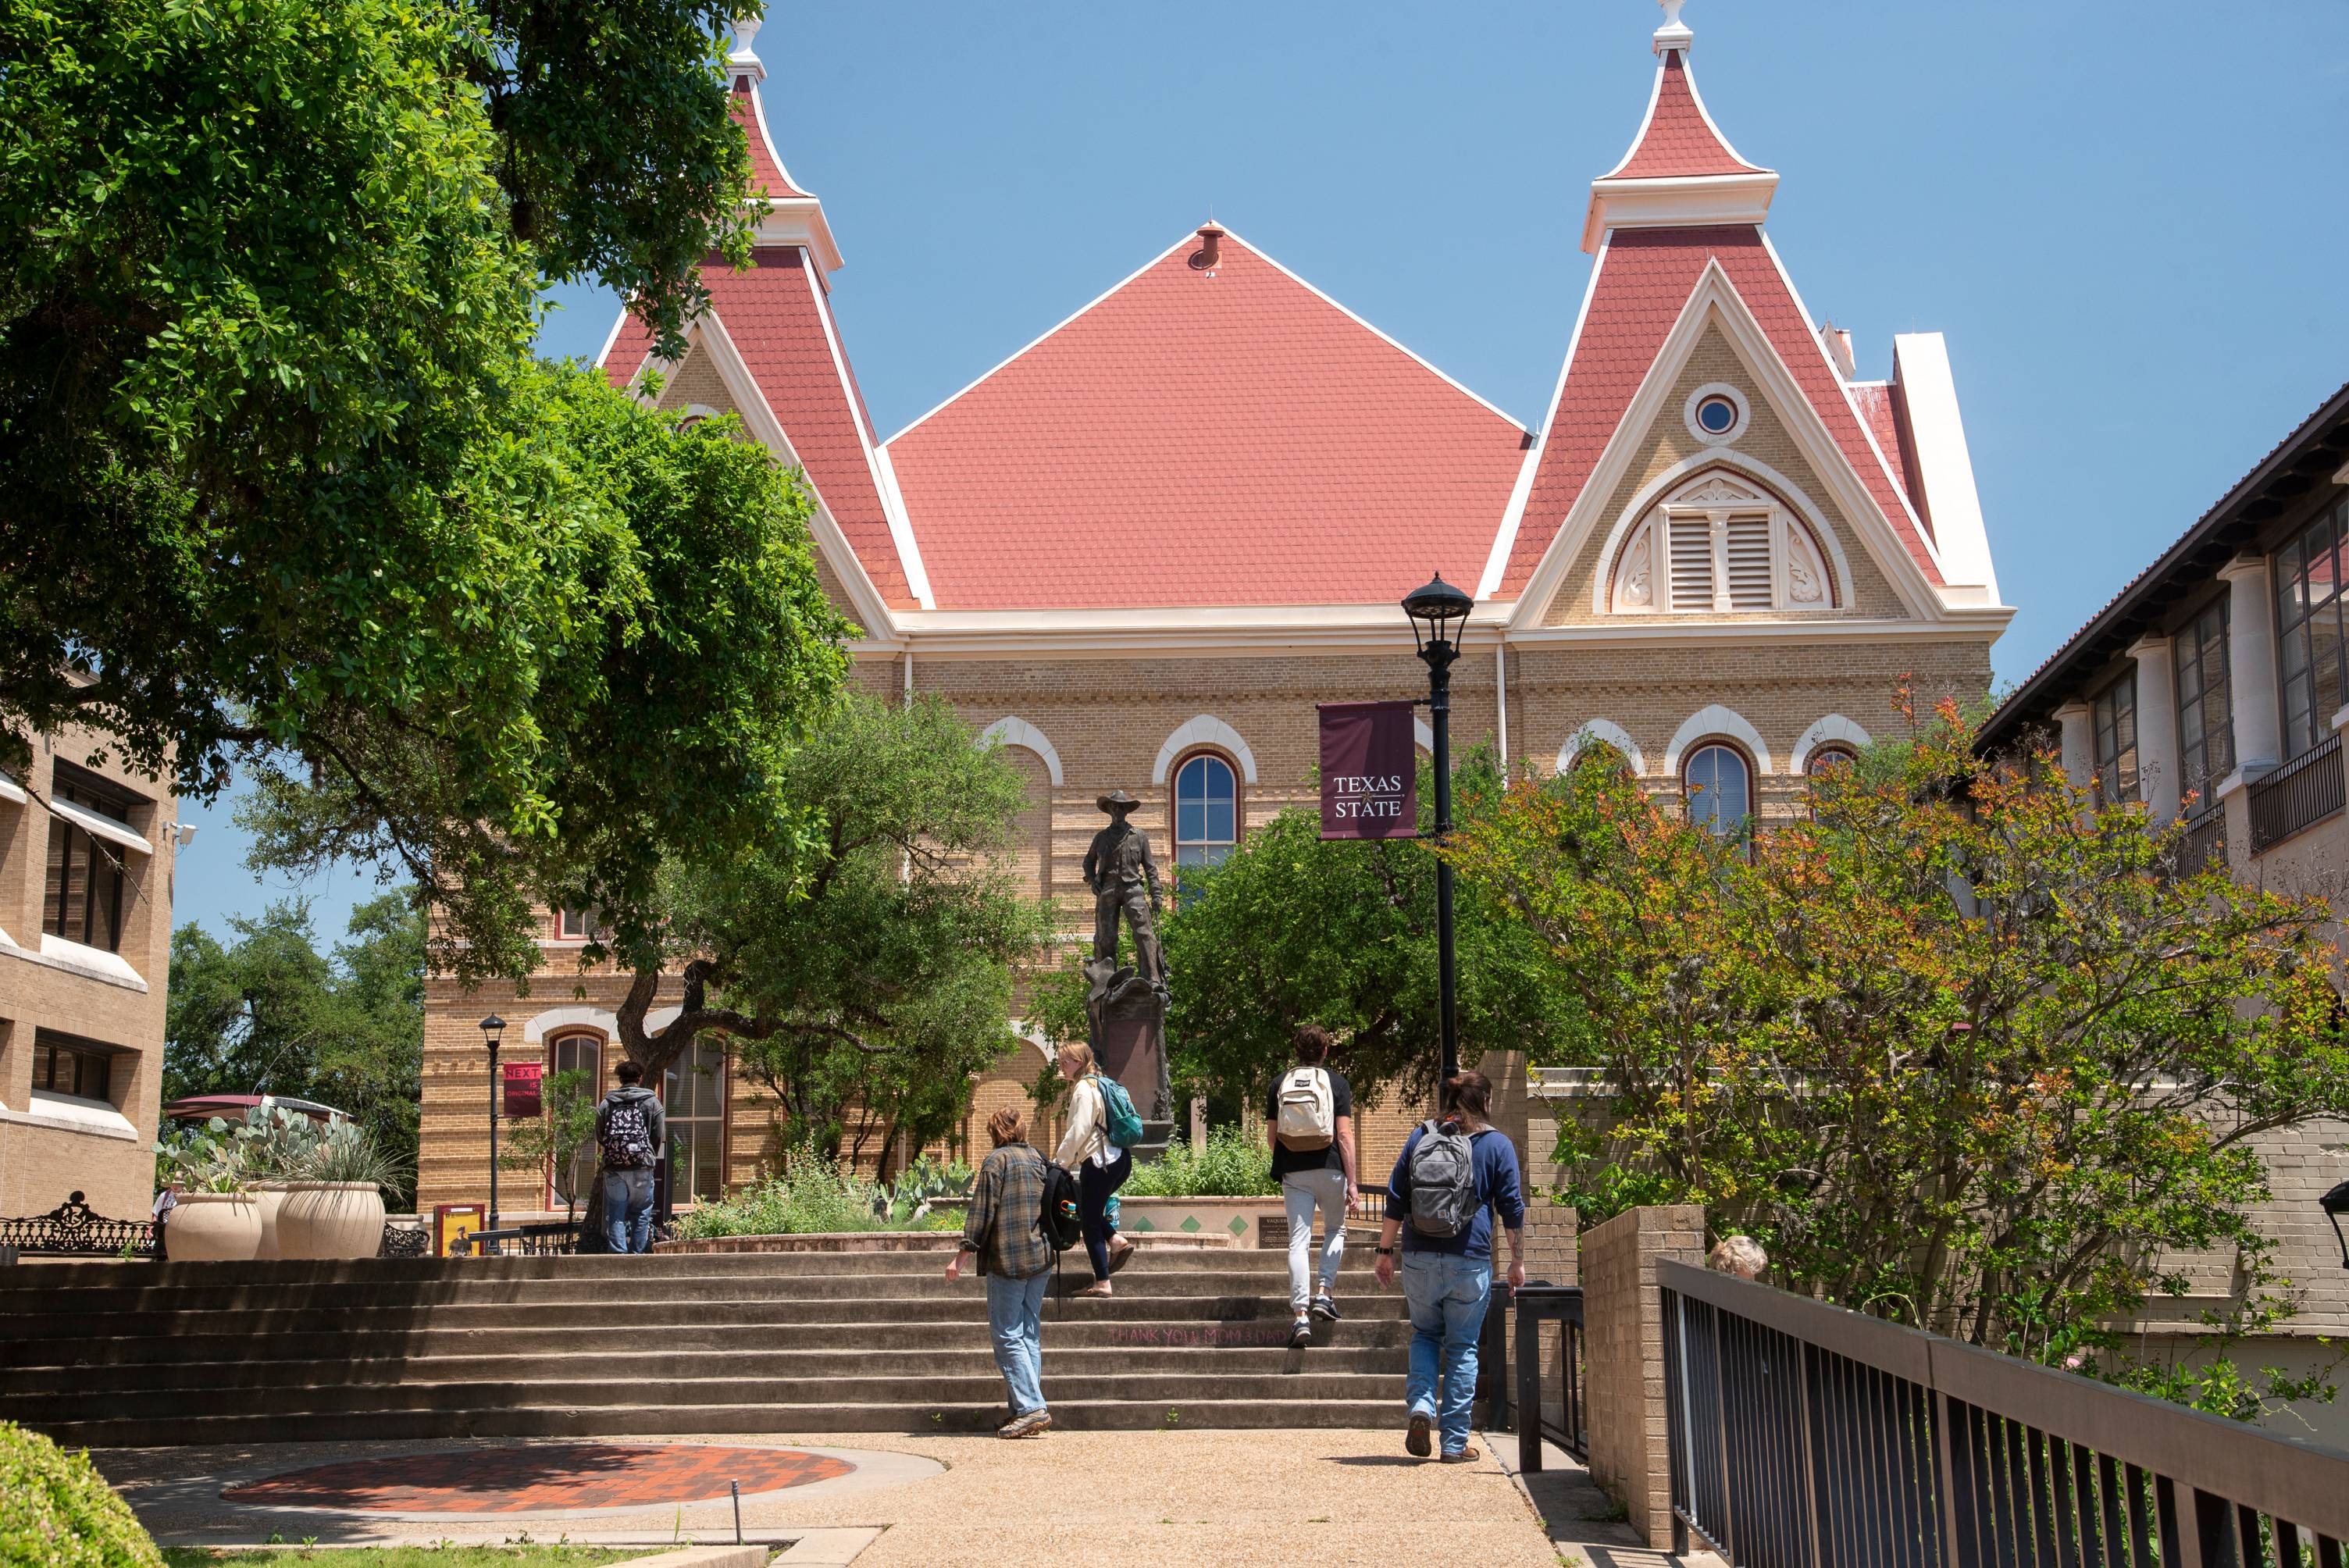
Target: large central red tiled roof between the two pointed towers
x,y
1206,440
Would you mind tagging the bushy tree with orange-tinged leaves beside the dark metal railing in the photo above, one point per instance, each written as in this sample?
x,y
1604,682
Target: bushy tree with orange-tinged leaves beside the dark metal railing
x,y
1956,1050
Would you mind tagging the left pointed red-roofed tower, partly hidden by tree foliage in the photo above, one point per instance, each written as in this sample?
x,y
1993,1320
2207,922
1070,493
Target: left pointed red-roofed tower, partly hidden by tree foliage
x,y
769,351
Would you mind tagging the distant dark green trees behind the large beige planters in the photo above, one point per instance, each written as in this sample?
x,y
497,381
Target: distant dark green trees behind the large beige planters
x,y
271,1015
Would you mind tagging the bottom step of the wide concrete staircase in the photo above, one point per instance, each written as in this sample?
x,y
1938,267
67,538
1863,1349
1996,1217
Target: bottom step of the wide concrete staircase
x,y
1086,1414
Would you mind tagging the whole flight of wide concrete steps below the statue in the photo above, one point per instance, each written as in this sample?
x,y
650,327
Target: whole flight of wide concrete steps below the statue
x,y
229,1353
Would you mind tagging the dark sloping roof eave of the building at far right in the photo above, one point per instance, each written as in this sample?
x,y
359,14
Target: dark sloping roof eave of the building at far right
x,y
2207,546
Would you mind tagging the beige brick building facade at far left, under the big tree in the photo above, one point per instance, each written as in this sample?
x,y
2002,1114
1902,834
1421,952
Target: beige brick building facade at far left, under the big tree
x,y
100,996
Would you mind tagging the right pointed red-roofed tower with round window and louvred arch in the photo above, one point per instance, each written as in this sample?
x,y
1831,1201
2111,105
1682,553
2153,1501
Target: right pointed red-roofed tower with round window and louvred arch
x,y
1697,377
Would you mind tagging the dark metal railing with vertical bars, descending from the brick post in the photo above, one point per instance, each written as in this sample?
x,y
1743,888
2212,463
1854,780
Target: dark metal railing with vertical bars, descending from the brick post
x,y
1805,1435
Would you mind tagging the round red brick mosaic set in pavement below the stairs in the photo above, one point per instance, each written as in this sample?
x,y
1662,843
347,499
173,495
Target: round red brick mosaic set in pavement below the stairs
x,y
539,1478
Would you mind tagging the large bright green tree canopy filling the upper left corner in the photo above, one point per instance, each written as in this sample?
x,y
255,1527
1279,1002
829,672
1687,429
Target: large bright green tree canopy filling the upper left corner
x,y
281,480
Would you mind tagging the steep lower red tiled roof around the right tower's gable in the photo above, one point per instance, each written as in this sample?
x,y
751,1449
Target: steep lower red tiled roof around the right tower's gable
x,y
1638,292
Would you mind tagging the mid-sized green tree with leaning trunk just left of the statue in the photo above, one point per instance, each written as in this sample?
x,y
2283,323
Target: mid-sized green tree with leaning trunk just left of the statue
x,y
863,971
